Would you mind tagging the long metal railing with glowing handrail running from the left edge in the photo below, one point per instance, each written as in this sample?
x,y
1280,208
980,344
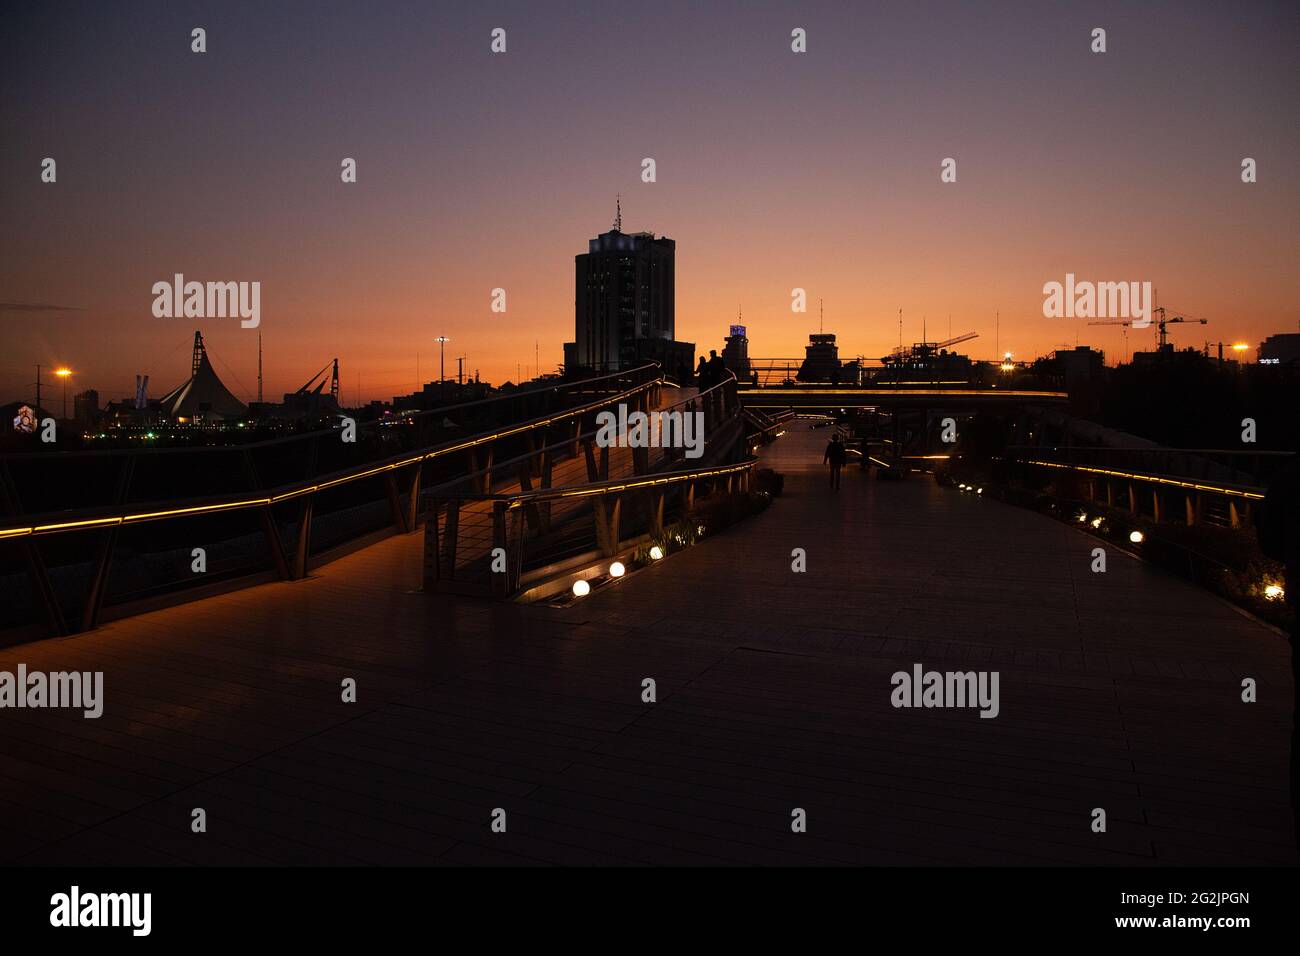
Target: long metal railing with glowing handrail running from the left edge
x,y
335,494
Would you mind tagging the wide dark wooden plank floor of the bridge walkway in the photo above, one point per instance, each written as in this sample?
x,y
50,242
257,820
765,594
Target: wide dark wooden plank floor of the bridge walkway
x,y
1120,691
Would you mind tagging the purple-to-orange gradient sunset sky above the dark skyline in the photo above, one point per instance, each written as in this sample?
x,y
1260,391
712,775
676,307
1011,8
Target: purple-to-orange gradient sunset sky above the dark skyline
x,y
774,171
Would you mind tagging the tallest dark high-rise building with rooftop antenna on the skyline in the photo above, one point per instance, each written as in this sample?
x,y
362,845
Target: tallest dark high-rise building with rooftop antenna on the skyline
x,y
625,301
